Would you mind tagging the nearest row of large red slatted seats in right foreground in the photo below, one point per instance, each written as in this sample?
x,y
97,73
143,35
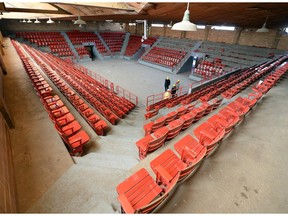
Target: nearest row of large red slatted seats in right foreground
x,y
140,193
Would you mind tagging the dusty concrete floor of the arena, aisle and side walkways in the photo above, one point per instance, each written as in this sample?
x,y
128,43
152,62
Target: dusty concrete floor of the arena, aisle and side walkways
x,y
247,174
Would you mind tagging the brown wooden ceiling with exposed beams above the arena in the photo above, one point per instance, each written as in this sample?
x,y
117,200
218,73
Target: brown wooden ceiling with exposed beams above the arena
x,y
247,15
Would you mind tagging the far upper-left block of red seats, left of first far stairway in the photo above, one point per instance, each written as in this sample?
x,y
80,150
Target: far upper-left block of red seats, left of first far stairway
x,y
54,40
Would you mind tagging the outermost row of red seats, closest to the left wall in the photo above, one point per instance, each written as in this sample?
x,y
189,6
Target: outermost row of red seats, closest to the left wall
x,y
68,128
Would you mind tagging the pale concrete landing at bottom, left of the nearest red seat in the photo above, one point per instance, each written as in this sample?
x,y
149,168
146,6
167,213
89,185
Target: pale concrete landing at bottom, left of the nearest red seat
x,y
82,189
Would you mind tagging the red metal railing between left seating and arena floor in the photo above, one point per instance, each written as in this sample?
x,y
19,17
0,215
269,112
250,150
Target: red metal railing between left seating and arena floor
x,y
109,85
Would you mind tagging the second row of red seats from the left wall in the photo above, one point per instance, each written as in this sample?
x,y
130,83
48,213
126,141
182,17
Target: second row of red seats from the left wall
x,y
94,120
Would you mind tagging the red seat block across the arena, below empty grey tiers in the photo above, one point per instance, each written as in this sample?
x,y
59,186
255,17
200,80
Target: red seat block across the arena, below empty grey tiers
x,y
164,56
